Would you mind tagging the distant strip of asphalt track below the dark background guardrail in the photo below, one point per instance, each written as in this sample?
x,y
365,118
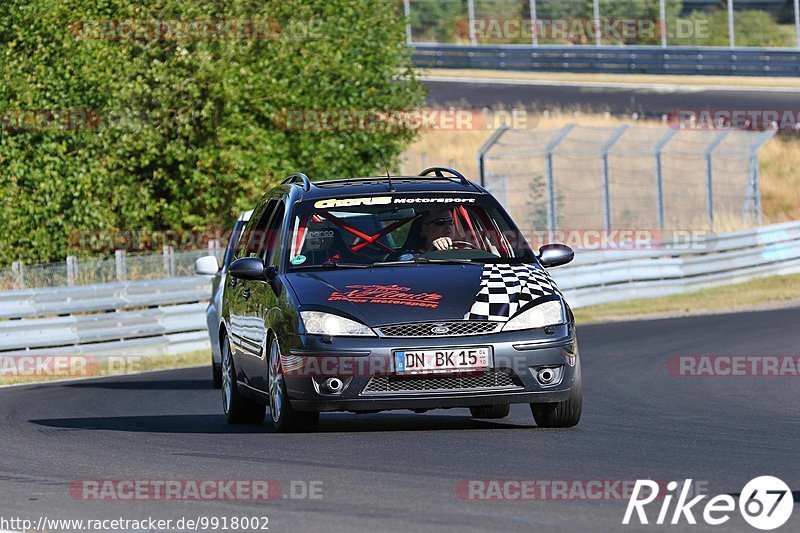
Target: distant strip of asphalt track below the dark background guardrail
x,y
647,101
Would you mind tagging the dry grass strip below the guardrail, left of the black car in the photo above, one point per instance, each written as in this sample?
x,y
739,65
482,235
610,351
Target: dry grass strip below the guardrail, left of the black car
x,y
36,369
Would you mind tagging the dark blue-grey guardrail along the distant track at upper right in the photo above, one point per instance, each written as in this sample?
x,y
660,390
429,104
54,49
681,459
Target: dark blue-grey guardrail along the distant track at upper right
x,y
612,59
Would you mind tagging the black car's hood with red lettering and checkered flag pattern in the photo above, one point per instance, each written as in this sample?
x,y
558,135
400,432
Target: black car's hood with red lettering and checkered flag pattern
x,y
414,293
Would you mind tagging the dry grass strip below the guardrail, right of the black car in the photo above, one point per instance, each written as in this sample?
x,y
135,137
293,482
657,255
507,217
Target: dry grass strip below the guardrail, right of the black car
x,y
741,296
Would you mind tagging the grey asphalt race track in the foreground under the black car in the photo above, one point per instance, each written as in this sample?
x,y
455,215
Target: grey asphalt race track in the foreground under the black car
x,y
398,471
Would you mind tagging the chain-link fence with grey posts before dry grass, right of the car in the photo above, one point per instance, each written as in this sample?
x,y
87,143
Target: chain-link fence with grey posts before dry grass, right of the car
x,y
582,177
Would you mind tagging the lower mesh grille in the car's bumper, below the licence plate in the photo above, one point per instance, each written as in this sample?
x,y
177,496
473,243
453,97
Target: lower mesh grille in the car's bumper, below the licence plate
x,y
485,381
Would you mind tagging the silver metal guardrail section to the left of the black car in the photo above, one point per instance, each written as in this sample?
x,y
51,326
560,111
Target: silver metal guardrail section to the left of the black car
x,y
123,318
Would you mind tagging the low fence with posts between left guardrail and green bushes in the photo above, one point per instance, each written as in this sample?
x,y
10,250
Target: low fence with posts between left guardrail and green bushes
x,y
90,270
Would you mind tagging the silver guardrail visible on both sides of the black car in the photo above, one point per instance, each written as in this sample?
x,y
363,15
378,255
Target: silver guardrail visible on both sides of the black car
x,y
168,316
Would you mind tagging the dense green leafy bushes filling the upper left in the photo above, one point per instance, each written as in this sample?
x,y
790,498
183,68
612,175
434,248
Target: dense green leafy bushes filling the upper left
x,y
182,132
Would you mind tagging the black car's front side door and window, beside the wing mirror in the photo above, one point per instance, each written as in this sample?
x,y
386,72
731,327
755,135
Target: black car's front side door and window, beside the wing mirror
x,y
262,296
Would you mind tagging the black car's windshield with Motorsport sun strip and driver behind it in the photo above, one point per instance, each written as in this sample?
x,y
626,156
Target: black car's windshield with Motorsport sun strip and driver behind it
x,y
403,228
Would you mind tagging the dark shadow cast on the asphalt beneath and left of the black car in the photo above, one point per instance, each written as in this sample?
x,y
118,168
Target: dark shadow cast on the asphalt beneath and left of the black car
x,y
330,423
